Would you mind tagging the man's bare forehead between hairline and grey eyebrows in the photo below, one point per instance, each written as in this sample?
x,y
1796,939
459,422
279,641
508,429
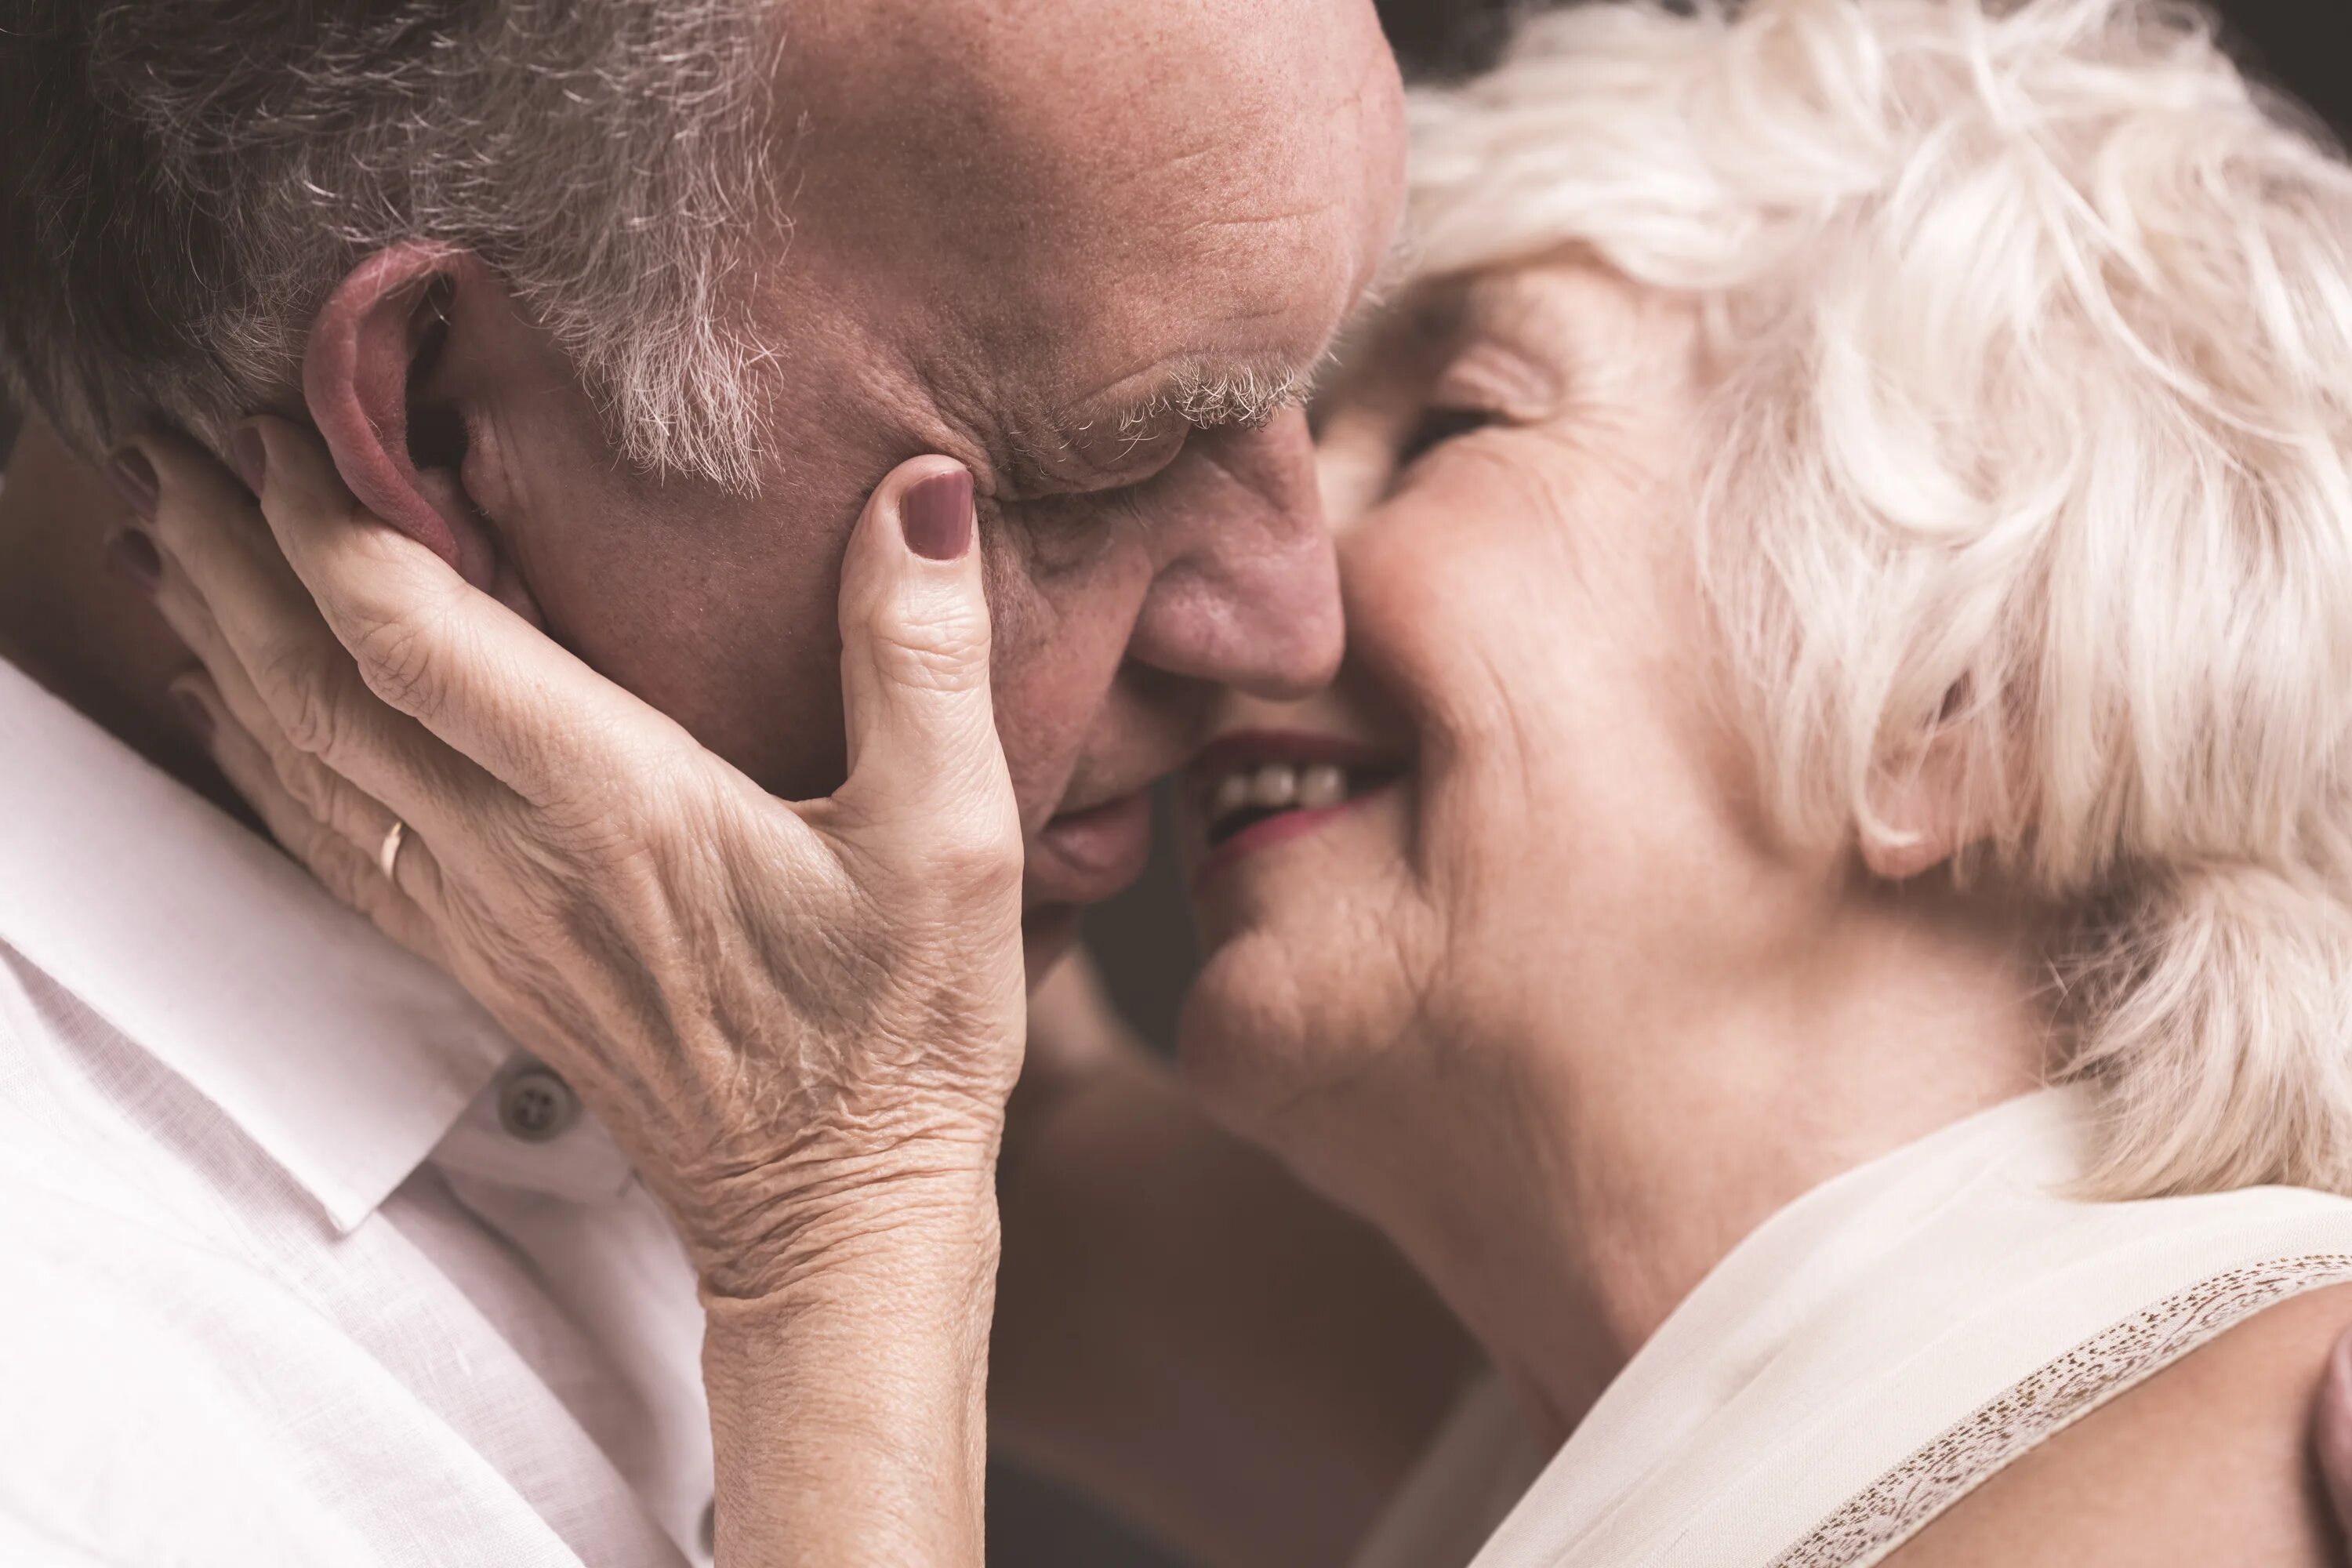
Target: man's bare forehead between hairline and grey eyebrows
x,y
1069,227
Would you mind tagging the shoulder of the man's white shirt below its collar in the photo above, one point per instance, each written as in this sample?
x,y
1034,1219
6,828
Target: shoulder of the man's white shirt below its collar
x,y
199,1369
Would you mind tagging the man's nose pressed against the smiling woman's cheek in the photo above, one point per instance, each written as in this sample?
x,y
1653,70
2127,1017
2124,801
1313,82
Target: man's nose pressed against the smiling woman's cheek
x,y
1245,589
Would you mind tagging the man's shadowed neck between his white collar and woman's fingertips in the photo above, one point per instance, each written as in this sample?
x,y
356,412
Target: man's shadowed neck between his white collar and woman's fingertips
x,y
83,629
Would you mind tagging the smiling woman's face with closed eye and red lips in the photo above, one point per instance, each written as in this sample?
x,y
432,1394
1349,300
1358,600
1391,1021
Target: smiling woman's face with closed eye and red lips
x,y
1521,815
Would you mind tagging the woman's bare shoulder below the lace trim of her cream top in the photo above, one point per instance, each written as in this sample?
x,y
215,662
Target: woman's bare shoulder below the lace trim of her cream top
x,y
2210,1461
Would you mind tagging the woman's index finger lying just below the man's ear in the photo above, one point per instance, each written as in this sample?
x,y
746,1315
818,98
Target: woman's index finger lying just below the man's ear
x,y
432,645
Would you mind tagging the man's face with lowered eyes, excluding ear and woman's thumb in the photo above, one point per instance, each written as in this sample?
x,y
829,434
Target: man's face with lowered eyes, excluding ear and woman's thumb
x,y
1020,234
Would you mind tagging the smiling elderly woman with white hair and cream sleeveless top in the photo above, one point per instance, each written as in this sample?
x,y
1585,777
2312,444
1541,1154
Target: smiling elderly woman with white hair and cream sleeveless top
x,y
1819,913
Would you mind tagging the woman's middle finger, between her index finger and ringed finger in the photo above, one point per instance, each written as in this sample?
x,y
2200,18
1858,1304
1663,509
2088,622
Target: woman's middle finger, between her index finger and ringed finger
x,y
246,615
